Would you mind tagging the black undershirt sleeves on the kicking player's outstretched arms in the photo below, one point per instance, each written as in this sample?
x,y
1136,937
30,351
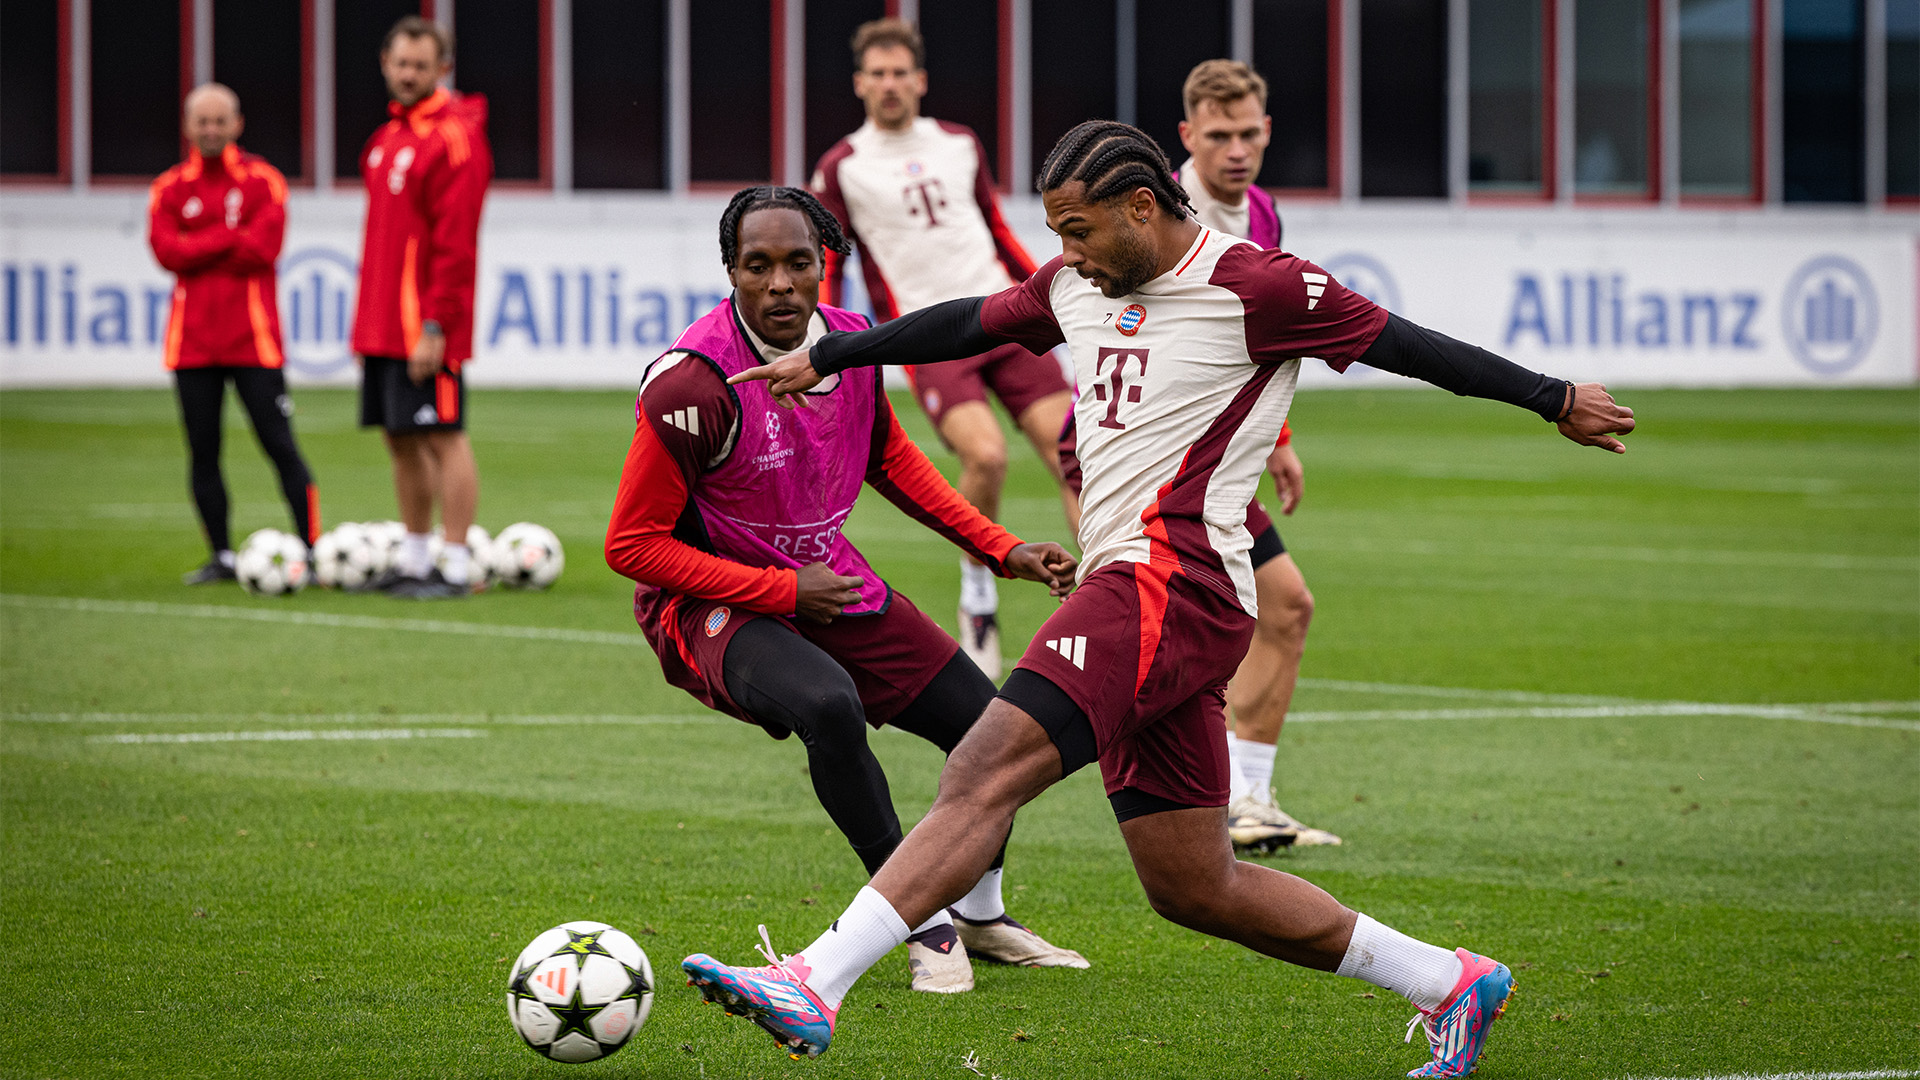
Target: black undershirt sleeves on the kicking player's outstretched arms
x,y
953,331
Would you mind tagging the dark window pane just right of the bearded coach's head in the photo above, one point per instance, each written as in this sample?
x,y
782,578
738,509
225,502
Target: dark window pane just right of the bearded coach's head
x,y
498,51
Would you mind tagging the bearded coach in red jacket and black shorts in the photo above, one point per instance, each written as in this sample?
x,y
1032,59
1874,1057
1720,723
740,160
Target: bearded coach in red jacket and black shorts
x,y
427,174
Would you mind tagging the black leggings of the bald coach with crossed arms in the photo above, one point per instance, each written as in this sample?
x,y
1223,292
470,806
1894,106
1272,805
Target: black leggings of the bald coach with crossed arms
x,y
262,391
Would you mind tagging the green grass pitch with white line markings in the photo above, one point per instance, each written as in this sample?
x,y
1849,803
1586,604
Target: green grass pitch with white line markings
x,y
1646,729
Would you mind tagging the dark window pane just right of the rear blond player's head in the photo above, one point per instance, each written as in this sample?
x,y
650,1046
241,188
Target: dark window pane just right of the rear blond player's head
x,y
1291,53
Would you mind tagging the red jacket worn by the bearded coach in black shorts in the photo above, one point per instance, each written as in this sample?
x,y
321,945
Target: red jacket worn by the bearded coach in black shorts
x,y
427,174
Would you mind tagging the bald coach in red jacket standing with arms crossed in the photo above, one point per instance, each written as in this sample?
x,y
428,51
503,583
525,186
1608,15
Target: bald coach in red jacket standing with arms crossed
x,y
216,222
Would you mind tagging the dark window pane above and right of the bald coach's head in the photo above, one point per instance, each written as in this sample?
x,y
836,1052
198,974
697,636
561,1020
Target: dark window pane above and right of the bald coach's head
x,y
258,51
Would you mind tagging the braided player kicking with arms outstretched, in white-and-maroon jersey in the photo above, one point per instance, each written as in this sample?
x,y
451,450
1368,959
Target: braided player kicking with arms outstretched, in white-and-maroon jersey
x,y
1188,347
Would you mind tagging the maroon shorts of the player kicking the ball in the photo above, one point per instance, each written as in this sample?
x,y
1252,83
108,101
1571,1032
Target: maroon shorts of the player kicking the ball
x,y
1147,660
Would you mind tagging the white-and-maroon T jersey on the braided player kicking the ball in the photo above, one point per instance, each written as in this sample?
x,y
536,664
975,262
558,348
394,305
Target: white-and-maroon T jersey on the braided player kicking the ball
x,y
1184,387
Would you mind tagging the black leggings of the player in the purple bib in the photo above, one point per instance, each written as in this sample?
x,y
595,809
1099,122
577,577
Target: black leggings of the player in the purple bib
x,y
784,681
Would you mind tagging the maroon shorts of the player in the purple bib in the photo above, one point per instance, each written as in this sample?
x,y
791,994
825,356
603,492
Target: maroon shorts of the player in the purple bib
x,y
892,656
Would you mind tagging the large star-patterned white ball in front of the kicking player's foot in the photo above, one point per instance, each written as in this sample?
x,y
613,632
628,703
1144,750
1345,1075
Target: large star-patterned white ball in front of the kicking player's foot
x,y
579,993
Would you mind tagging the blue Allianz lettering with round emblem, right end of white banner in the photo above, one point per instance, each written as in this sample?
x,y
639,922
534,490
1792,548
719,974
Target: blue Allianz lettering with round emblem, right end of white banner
x,y
1827,316
